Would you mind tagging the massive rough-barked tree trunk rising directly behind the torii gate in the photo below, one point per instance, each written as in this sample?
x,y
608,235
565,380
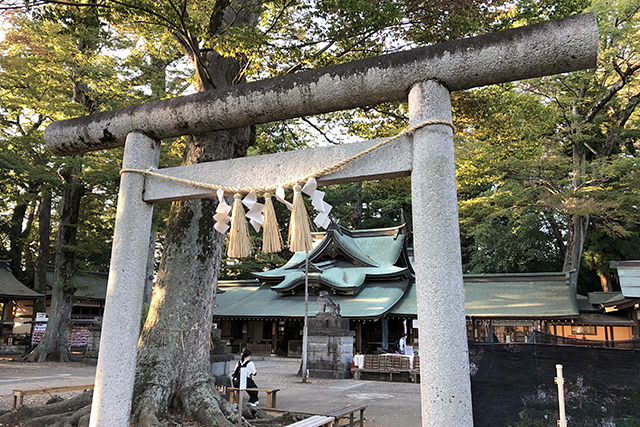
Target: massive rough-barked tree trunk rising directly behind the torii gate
x,y
173,368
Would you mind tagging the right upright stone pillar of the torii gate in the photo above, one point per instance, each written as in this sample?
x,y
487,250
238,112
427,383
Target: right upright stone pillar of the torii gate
x,y
444,356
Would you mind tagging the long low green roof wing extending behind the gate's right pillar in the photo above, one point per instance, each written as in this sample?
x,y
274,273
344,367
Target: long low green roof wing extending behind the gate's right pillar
x,y
541,295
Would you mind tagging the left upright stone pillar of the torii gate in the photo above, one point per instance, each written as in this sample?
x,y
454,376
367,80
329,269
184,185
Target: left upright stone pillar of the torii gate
x,y
115,372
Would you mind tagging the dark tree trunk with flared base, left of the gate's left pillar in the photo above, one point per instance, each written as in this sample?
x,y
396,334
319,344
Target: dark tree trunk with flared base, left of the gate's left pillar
x,y
55,343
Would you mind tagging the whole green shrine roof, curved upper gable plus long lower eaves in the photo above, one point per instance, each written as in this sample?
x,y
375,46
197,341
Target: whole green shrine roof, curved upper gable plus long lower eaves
x,y
370,273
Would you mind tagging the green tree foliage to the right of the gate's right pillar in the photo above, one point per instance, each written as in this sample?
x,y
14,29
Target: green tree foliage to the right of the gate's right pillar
x,y
563,148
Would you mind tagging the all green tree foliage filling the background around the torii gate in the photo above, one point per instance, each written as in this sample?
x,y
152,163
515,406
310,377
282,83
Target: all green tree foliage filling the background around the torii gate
x,y
514,143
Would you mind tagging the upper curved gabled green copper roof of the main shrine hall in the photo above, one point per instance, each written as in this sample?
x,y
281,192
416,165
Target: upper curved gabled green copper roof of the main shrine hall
x,y
343,260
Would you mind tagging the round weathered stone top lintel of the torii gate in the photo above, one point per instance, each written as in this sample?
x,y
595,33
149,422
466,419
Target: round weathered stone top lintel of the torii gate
x,y
563,45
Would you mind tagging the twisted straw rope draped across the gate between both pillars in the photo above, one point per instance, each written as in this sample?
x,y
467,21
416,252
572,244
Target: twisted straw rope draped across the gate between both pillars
x,y
290,184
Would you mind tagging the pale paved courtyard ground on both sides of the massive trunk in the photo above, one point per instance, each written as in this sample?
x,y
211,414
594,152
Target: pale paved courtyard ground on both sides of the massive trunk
x,y
389,404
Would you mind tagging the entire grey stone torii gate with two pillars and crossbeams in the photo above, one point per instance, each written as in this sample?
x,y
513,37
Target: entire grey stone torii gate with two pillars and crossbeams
x,y
426,76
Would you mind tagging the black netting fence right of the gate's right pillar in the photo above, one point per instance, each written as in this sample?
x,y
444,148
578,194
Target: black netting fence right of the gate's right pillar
x,y
504,374
